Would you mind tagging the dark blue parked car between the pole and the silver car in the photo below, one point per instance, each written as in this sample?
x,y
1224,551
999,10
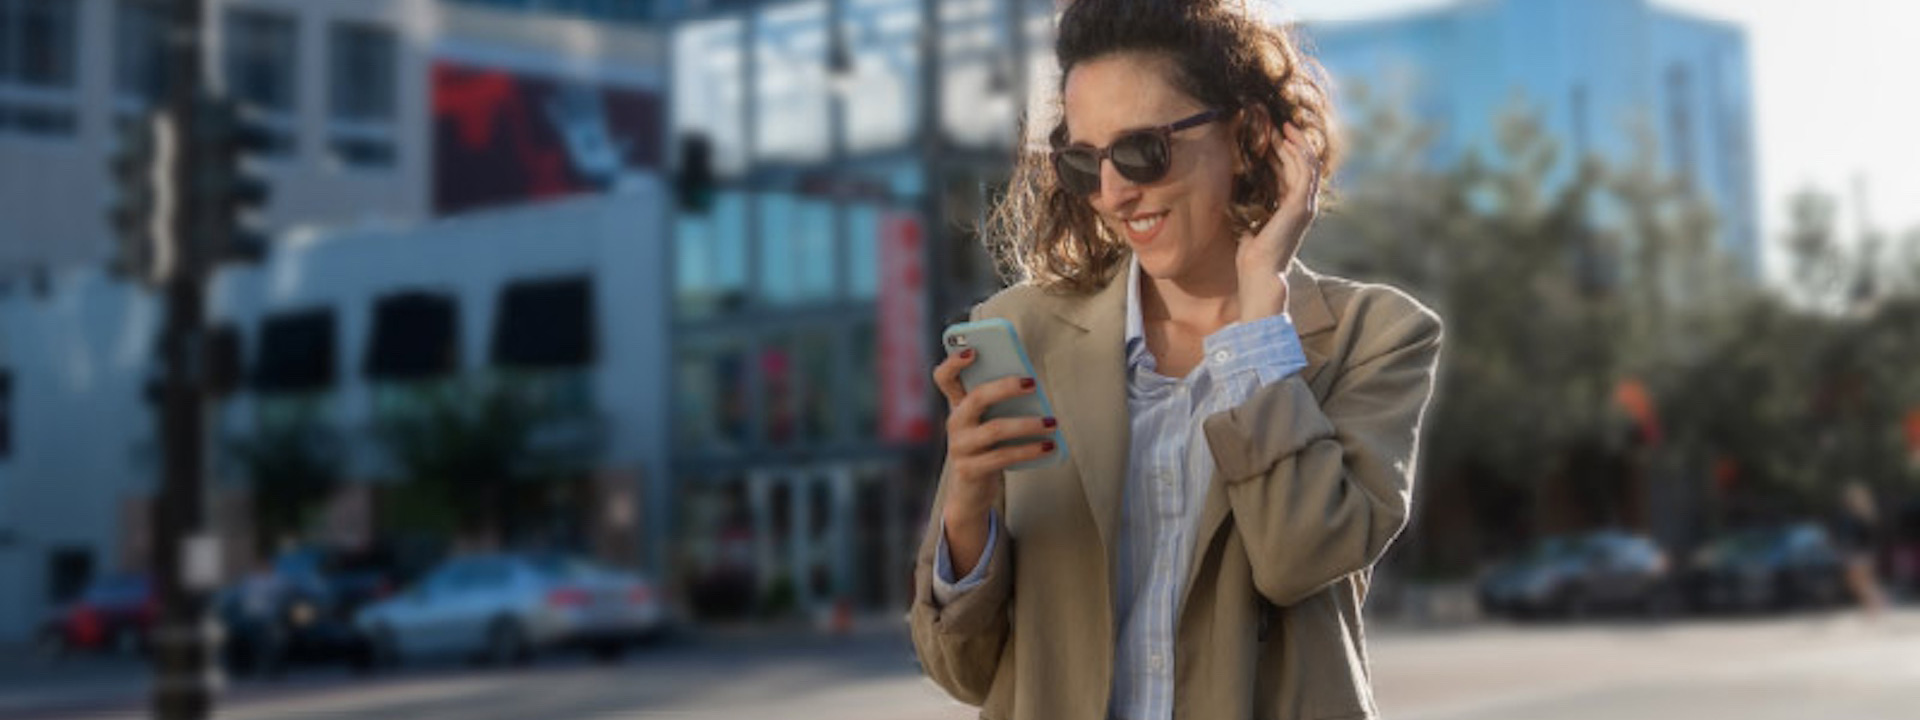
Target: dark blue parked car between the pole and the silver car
x,y
300,612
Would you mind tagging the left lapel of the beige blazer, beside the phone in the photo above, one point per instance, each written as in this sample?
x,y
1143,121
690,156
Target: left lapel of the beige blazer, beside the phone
x,y
1088,385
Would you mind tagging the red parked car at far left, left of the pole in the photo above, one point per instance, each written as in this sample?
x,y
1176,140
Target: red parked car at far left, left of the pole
x,y
114,613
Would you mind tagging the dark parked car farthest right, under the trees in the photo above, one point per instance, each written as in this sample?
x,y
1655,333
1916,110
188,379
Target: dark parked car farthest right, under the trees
x,y
1767,569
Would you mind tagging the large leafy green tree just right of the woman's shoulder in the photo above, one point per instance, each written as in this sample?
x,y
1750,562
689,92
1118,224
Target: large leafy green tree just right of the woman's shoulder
x,y
1560,281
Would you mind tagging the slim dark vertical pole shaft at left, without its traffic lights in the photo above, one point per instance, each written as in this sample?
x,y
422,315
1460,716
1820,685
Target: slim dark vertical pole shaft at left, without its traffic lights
x,y
185,546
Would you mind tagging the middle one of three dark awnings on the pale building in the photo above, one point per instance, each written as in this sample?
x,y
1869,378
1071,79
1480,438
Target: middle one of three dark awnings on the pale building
x,y
416,335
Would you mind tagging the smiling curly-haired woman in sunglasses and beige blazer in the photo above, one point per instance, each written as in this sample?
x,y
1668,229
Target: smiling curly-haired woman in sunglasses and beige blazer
x,y
1241,429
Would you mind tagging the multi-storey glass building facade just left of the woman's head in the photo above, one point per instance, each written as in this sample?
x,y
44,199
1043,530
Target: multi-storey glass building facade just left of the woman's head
x,y
790,491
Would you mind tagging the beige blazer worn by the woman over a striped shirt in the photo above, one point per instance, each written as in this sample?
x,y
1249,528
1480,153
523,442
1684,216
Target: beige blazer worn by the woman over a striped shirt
x,y
1314,481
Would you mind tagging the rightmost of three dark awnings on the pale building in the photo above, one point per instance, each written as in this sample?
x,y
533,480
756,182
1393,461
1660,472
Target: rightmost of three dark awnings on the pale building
x,y
546,324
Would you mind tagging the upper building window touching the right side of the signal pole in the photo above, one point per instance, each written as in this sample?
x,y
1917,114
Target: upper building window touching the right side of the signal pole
x,y
262,53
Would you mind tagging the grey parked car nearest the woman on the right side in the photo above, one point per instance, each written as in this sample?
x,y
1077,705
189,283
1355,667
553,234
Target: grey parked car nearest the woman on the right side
x,y
1575,577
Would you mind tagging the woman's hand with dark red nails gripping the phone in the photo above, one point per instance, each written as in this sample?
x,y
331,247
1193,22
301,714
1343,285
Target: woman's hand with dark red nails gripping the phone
x,y
974,466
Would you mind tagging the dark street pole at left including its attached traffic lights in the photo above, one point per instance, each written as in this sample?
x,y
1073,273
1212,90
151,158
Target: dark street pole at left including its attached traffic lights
x,y
183,208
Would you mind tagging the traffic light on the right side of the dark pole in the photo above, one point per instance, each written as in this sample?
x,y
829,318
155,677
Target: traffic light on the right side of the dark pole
x,y
228,195
